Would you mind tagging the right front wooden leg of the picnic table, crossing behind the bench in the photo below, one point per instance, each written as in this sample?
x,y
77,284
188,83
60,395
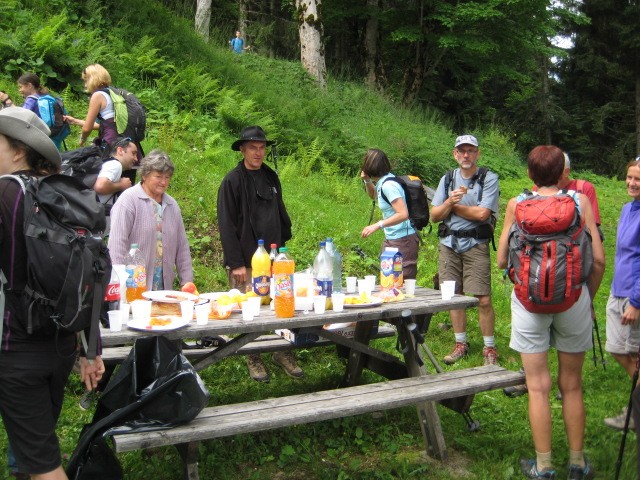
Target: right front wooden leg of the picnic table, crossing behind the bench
x,y
427,413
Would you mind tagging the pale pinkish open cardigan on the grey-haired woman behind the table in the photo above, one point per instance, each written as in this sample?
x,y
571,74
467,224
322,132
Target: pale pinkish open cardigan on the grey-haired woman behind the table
x,y
133,221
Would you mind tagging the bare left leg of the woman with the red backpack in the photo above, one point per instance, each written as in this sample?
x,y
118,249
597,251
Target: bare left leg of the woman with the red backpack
x,y
536,369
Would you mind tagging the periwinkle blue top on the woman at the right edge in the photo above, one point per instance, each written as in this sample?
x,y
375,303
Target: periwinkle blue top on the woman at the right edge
x,y
626,277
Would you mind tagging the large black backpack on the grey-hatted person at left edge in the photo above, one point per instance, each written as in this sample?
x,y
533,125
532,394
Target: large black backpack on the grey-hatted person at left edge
x,y
68,265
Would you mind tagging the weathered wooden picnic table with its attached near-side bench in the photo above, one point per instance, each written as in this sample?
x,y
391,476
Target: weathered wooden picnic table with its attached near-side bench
x,y
408,380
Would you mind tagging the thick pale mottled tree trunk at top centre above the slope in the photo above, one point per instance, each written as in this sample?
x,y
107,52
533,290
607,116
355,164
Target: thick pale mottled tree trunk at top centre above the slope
x,y
311,33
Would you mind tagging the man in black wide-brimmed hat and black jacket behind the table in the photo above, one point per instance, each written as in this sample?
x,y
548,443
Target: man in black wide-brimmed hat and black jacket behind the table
x,y
250,207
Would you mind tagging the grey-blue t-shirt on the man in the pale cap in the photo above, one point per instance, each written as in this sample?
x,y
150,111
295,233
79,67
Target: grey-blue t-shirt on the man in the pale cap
x,y
490,194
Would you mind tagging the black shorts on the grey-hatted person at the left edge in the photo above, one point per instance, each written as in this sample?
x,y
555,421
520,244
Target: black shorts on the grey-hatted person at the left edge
x,y
31,395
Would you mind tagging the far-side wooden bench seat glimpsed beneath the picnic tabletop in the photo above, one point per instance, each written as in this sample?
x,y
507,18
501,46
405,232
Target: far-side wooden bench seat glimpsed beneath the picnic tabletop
x,y
262,344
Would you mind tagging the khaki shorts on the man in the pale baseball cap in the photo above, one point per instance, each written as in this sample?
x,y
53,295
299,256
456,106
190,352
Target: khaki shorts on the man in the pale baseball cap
x,y
471,270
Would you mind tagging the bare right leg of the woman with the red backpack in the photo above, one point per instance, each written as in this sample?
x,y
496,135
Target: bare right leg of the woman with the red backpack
x,y
570,384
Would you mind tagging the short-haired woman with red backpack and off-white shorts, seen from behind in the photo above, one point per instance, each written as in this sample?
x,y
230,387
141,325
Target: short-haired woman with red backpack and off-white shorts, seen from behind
x,y
537,327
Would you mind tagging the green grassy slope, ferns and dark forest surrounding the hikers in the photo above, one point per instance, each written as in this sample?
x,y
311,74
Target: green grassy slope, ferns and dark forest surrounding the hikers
x,y
481,75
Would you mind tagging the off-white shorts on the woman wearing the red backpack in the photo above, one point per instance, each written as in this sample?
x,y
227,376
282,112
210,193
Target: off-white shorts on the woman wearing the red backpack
x,y
569,331
